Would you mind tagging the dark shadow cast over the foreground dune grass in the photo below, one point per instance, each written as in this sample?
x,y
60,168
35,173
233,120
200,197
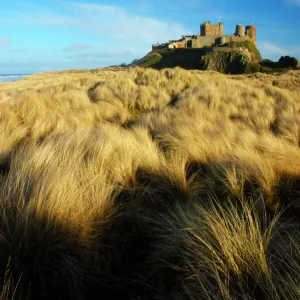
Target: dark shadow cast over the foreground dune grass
x,y
141,253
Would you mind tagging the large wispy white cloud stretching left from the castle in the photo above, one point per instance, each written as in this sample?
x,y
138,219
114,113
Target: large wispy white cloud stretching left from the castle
x,y
111,22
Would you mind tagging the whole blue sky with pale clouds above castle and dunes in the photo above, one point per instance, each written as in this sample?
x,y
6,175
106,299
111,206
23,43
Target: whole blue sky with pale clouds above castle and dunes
x,y
37,36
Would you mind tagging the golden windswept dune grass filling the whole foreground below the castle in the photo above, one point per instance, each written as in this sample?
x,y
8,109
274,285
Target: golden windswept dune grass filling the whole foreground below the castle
x,y
143,184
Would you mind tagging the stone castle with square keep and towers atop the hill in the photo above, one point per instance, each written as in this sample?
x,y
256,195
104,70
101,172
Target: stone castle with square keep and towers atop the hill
x,y
211,34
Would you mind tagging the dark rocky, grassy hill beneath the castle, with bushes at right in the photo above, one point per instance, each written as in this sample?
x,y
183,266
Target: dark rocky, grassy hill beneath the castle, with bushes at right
x,y
230,58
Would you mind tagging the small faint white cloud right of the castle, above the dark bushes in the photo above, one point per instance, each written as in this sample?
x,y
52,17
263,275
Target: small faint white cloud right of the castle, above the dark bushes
x,y
270,50
